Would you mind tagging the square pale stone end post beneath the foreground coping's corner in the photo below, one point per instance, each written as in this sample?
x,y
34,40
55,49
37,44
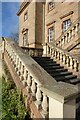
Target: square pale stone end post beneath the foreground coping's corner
x,y
62,110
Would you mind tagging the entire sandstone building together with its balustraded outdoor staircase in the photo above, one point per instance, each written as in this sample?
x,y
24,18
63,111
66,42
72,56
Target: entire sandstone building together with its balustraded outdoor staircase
x,y
49,82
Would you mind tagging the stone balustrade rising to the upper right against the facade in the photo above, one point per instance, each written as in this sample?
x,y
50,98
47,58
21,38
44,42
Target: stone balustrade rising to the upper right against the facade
x,y
67,36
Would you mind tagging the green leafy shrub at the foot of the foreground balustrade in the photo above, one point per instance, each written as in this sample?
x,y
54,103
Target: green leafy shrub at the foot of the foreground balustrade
x,y
12,102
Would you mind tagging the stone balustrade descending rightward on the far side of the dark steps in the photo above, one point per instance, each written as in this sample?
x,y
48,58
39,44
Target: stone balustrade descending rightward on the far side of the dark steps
x,y
64,57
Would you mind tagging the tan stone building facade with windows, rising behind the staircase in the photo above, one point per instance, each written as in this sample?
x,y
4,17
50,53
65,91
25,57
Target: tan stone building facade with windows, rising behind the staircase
x,y
45,22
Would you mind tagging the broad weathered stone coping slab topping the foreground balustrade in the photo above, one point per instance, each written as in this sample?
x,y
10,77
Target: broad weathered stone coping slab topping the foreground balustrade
x,y
60,91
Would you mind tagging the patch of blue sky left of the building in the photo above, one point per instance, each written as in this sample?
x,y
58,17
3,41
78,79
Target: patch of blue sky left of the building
x,y
8,18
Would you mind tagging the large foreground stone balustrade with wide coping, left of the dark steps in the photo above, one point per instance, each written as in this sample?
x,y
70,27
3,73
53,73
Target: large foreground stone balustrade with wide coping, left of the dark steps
x,y
38,82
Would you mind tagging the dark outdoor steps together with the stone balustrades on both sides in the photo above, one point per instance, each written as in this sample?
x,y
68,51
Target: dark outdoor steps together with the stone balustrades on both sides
x,y
57,87
